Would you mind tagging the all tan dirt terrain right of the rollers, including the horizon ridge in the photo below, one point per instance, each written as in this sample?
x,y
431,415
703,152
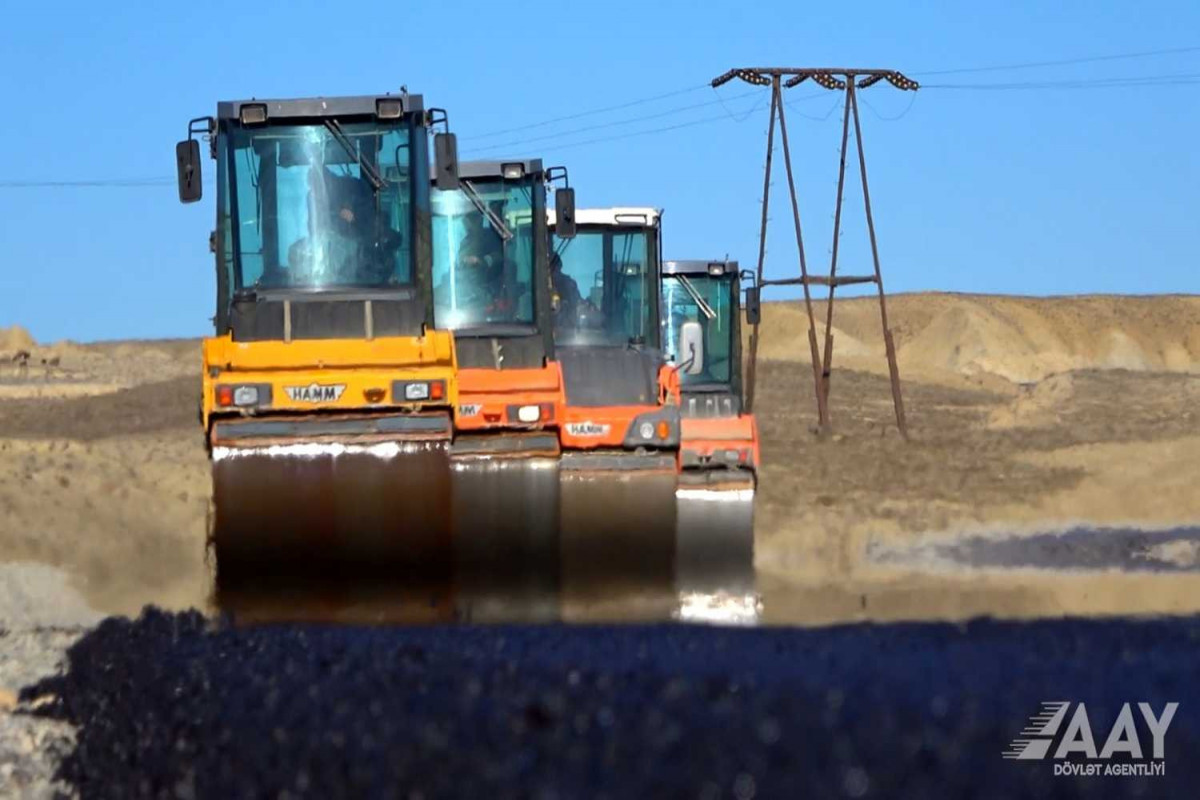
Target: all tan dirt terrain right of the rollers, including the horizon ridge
x,y
1025,414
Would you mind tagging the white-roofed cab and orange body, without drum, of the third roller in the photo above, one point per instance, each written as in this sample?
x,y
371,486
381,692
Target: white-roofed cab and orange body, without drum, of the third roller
x,y
621,396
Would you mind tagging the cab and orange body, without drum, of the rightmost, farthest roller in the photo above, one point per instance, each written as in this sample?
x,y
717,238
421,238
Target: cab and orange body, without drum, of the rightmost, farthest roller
x,y
703,334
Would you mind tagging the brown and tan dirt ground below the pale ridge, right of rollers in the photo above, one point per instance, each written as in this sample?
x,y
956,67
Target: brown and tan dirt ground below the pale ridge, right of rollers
x,y
1093,449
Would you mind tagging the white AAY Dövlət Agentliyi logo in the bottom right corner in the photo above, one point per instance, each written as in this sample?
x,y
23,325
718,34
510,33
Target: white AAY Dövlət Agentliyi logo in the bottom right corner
x,y
1037,739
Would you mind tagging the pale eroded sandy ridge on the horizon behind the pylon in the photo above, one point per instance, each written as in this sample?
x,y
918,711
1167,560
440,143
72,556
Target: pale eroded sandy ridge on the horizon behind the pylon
x,y
1021,340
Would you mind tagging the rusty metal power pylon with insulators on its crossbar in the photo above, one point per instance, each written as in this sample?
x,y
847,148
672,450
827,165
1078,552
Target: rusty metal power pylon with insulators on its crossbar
x,y
833,80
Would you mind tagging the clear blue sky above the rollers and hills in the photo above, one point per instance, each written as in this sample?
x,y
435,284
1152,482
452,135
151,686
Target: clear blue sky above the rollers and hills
x,y
1047,191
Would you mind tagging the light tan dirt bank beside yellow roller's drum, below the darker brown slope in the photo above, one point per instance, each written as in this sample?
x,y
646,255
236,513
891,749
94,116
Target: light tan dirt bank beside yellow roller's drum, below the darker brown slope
x,y
124,516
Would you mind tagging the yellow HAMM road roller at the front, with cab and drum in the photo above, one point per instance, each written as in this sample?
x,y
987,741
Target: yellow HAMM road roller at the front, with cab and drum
x,y
327,384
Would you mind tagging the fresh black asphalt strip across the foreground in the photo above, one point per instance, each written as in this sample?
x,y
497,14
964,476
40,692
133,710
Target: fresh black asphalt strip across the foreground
x,y
175,706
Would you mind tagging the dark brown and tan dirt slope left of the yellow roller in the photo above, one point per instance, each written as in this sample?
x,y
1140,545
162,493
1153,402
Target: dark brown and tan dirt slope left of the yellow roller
x,y
112,488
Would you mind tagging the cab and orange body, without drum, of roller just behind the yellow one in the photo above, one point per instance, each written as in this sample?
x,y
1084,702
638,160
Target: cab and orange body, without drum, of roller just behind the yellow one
x,y
491,287
